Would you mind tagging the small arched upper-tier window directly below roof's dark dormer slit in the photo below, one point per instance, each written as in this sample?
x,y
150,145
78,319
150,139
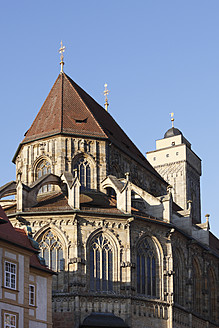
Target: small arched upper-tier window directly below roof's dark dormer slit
x,y
84,173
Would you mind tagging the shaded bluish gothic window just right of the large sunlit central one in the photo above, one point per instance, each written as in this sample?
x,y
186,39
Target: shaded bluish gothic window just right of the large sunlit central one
x,y
146,269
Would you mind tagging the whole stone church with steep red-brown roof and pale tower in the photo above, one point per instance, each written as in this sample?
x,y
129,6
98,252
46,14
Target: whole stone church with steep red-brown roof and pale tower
x,y
124,235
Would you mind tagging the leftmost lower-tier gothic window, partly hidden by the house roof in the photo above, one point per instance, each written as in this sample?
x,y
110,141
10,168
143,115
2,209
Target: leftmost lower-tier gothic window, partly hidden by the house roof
x,y
51,250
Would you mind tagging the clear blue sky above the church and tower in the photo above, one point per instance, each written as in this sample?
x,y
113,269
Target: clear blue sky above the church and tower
x,y
156,56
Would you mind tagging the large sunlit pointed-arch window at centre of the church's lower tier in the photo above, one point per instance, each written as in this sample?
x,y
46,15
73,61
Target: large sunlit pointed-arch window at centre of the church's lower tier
x,y
101,264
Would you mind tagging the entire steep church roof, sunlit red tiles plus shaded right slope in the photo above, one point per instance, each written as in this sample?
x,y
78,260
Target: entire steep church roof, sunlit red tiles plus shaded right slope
x,y
69,110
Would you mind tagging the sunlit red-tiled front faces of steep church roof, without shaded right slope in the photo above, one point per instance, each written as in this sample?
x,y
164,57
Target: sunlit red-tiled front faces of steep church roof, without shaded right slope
x,y
64,111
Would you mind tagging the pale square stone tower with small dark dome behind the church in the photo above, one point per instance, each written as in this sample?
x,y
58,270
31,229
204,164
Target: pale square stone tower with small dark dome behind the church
x,y
177,163
